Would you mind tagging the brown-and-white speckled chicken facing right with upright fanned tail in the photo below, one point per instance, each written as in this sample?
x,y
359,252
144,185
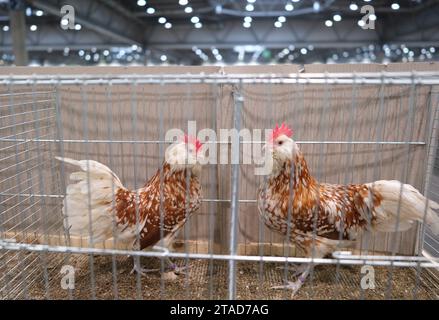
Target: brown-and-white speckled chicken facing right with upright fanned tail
x,y
99,206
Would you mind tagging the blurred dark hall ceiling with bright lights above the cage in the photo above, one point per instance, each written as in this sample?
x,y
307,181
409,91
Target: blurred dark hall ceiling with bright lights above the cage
x,y
217,32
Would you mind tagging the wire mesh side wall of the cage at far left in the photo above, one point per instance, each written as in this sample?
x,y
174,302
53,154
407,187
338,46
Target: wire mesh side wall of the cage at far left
x,y
28,128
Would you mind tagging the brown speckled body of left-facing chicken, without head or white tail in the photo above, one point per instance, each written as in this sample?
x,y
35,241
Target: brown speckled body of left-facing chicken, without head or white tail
x,y
324,209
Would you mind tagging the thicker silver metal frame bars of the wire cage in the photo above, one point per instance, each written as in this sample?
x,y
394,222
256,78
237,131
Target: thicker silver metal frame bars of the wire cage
x,y
403,78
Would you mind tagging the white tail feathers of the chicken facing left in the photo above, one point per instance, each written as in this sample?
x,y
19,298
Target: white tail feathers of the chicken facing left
x,y
409,203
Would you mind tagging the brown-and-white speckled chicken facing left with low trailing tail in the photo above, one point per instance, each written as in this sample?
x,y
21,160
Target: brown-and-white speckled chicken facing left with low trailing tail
x,y
321,218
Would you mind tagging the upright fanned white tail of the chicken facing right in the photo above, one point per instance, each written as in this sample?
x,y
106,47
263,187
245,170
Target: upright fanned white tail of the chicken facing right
x,y
88,200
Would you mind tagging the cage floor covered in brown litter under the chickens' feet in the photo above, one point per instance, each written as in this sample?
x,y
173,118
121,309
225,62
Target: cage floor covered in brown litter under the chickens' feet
x,y
208,280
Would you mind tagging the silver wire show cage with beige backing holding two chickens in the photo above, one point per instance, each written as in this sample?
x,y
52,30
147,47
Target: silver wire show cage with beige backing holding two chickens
x,y
351,127
